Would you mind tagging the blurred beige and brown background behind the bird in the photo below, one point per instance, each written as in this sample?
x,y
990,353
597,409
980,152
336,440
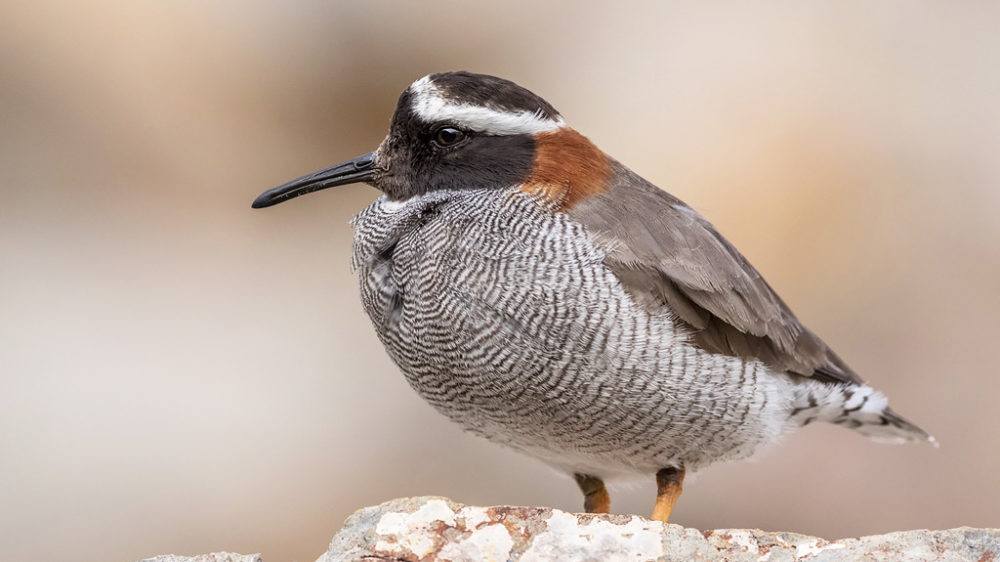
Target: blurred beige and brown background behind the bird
x,y
181,374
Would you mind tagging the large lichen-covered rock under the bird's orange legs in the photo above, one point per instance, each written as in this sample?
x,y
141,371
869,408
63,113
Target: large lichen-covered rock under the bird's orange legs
x,y
429,528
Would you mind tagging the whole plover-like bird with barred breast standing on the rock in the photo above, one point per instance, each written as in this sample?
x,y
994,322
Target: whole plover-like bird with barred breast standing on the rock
x,y
544,296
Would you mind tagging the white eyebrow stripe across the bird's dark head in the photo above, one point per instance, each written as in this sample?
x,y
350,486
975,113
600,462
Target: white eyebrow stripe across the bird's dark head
x,y
431,107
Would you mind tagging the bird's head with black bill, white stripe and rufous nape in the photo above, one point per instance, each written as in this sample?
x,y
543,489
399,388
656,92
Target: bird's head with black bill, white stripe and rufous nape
x,y
459,130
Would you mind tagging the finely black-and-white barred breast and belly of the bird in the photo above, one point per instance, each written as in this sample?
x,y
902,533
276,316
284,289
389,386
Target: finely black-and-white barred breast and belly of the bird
x,y
502,316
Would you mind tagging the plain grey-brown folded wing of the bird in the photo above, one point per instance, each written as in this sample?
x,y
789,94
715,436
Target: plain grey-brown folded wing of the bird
x,y
663,251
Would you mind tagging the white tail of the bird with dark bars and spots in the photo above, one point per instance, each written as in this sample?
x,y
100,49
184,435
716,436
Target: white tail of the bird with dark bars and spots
x,y
855,406
